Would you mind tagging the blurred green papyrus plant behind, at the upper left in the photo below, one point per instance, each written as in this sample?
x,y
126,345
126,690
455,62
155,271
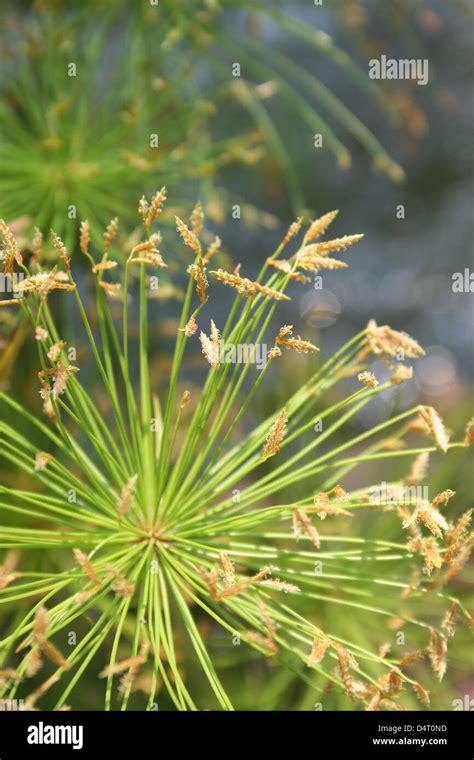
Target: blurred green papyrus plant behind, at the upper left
x,y
97,100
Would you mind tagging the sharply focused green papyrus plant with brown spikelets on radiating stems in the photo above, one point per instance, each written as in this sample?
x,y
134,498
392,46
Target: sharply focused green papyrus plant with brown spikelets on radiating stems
x,y
177,512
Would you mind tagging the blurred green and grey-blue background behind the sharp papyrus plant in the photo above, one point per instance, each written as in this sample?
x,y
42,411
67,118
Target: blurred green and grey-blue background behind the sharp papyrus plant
x,y
221,101
